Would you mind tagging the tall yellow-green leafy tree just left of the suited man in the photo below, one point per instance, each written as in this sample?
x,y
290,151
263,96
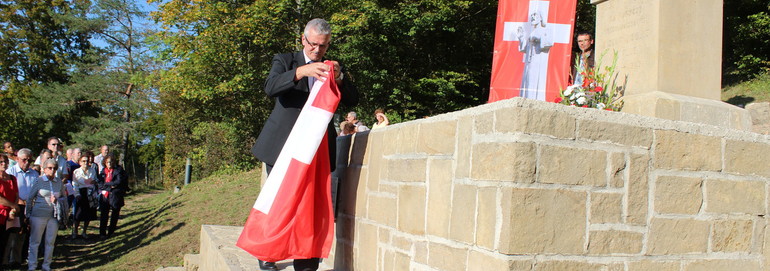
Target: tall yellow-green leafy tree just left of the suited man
x,y
222,54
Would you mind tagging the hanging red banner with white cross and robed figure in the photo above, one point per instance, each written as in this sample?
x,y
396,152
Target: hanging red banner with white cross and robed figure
x,y
533,41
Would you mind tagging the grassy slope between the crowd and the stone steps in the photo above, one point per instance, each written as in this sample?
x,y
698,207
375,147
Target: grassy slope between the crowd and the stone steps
x,y
157,228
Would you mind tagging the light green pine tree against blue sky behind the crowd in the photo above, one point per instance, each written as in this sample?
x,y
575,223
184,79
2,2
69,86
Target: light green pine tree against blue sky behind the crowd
x,y
96,103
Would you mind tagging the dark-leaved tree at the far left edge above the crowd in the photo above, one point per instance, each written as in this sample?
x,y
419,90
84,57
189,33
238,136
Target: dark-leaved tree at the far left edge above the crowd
x,y
37,47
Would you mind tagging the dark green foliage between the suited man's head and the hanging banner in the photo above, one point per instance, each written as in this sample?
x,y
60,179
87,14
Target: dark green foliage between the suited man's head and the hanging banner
x,y
416,58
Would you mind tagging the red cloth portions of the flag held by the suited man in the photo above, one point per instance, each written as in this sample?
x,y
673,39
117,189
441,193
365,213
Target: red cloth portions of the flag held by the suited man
x,y
300,222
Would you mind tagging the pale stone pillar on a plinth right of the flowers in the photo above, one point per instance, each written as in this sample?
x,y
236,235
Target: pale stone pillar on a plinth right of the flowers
x,y
670,51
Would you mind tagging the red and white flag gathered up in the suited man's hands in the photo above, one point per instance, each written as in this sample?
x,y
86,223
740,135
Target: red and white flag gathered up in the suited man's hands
x,y
292,217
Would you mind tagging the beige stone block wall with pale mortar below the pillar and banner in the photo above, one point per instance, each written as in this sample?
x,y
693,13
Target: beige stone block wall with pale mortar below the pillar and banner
x,y
528,185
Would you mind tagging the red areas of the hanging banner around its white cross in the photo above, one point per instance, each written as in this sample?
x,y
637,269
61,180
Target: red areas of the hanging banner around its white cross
x,y
507,65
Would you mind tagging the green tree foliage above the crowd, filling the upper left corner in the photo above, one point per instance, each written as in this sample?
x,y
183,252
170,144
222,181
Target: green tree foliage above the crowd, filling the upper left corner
x,y
54,82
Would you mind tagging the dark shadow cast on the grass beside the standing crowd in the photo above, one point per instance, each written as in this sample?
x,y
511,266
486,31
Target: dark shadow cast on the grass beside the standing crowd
x,y
137,227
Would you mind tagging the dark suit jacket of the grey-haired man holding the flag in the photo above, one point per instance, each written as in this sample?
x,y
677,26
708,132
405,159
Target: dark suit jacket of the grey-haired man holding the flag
x,y
290,97
